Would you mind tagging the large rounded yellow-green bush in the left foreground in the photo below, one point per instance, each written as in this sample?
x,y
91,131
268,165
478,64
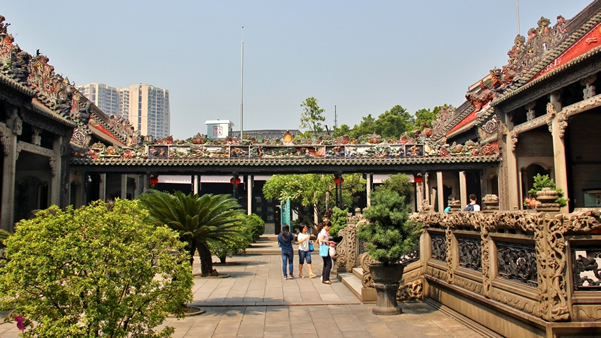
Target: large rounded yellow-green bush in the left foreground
x,y
100,270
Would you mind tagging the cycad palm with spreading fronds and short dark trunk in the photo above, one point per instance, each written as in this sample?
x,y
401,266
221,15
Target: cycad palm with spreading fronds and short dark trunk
x,y
200,220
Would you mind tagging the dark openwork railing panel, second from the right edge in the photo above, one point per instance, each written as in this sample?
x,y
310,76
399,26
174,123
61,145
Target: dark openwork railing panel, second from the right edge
x,y
517,262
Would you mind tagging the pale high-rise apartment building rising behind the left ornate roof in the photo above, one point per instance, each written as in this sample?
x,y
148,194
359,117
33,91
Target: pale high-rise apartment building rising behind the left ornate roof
x,y
146,106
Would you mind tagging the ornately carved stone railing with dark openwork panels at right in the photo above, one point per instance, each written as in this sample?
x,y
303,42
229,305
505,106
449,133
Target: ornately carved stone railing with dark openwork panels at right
x,y
542,264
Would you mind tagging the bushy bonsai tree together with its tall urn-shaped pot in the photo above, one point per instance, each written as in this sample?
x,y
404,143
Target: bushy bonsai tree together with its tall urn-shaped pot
x,y
389,236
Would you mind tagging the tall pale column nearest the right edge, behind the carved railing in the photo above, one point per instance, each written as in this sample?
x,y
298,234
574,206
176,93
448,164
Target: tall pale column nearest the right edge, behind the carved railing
x,y
559,150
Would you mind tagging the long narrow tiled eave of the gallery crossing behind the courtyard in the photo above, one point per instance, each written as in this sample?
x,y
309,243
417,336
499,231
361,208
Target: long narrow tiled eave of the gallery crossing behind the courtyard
x,y
271,162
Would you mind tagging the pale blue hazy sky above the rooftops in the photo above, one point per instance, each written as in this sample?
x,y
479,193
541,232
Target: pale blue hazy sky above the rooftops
x,y
364,57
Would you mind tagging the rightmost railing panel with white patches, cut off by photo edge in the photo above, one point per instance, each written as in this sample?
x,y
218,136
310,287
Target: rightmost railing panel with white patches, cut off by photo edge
x,y
586,268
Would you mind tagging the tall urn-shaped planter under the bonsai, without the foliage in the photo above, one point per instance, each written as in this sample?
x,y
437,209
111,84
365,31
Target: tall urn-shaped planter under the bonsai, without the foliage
x,y
386,282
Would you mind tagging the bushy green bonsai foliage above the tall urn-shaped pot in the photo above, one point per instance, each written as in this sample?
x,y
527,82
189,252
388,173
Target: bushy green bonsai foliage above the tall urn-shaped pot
x,y
390,234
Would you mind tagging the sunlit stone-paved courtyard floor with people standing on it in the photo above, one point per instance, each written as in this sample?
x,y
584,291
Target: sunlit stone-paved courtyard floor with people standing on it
x,y
257,302
